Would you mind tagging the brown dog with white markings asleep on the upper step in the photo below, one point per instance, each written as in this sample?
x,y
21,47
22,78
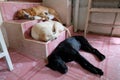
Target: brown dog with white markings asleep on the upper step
x,y
41,11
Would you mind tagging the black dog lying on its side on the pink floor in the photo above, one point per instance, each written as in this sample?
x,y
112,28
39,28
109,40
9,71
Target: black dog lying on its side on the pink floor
x,y
68,50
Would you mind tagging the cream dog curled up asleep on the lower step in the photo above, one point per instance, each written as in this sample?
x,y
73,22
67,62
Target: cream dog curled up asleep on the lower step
x,y
48,30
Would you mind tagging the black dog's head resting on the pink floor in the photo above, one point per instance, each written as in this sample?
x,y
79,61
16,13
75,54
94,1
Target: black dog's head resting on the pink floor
x,y
58,65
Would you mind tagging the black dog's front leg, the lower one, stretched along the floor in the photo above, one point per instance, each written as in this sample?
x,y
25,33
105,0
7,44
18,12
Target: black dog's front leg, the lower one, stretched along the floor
x,y
84,63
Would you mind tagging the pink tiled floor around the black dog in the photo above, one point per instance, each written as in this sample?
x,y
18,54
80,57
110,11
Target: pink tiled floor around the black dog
x,y
28,68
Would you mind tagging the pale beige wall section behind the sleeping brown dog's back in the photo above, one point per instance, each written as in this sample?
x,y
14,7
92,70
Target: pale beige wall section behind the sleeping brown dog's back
x,y
63,7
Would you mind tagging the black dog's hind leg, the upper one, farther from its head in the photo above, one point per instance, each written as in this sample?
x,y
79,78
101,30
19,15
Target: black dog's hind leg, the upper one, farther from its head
x,y
85,45
